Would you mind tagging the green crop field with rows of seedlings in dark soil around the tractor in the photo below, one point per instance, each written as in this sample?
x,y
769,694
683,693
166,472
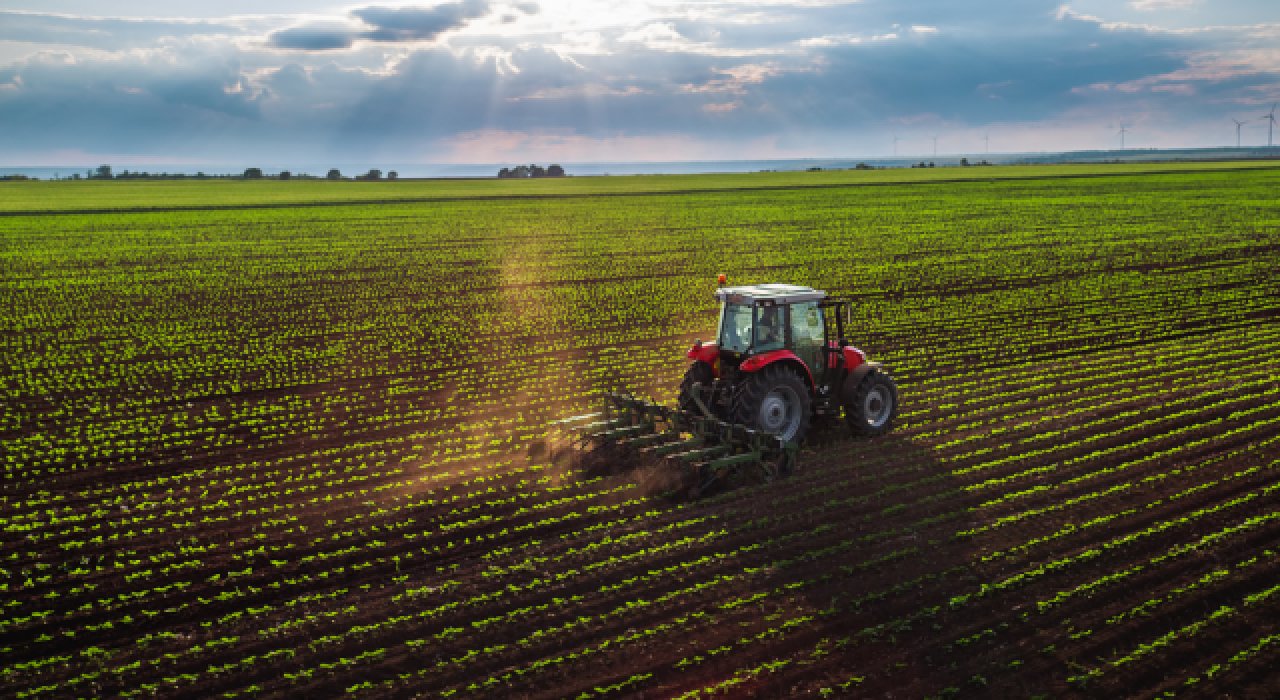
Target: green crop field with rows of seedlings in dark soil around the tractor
x,y
303,451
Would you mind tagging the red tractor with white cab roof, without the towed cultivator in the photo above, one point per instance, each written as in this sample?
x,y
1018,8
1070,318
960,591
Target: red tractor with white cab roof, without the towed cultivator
x,y
780,360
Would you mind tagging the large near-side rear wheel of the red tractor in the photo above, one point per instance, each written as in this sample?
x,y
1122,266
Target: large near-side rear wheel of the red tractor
x,y
775,401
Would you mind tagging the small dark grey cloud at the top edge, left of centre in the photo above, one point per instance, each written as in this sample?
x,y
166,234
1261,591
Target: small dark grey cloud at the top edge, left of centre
x,y
386,25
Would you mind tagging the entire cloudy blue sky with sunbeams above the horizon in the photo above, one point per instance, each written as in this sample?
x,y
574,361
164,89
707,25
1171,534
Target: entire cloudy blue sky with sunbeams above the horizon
x,y
575,81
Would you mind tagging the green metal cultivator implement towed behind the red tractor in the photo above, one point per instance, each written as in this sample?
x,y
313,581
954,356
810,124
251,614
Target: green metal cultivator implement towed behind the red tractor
x,y
705,447
